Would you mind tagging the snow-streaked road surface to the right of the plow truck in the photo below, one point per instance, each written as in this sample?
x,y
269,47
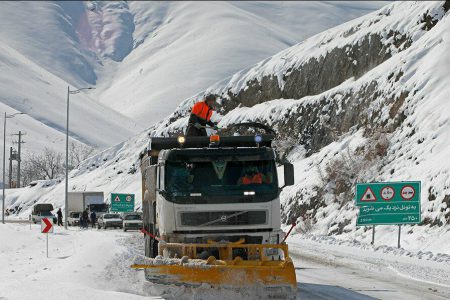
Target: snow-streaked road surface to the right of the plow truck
x,y
338,272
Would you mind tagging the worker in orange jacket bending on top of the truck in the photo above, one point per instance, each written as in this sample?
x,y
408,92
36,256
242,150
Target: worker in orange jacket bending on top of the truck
x,y
201,116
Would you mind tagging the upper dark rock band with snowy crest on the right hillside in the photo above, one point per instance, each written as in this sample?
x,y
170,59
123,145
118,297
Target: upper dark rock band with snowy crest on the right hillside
x,y
327,59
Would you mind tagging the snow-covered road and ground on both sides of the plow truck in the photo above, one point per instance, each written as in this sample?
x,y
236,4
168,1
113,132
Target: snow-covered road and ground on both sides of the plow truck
x,y
95,263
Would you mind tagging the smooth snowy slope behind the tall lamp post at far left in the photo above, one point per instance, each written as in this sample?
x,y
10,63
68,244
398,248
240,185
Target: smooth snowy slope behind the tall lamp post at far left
x,y
28,88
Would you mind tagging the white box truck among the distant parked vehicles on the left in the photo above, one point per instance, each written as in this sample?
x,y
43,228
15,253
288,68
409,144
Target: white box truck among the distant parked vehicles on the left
x,y
93,201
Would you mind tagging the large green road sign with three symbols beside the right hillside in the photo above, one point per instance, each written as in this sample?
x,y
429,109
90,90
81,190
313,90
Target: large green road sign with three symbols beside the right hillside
x,y
388,203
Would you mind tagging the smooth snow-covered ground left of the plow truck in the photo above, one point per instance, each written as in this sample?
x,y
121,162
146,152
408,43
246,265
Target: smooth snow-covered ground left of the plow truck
x,y
75,269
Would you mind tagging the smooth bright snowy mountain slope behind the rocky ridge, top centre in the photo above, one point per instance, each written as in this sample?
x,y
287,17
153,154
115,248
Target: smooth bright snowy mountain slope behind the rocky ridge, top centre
x,y
183,47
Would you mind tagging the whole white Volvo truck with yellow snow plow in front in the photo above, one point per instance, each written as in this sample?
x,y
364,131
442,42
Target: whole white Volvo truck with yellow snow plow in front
x,y
211,212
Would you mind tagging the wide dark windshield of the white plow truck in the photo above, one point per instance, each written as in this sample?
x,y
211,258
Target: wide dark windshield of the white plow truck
x,y
216,179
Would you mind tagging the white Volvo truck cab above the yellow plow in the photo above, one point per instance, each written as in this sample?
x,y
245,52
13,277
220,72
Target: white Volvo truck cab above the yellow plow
x,y
200,189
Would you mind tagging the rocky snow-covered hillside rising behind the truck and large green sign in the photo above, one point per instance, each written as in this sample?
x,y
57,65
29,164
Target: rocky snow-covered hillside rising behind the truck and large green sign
x,y
395,91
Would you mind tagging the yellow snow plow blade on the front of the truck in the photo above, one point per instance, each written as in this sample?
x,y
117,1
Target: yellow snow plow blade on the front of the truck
x,y
275,275
